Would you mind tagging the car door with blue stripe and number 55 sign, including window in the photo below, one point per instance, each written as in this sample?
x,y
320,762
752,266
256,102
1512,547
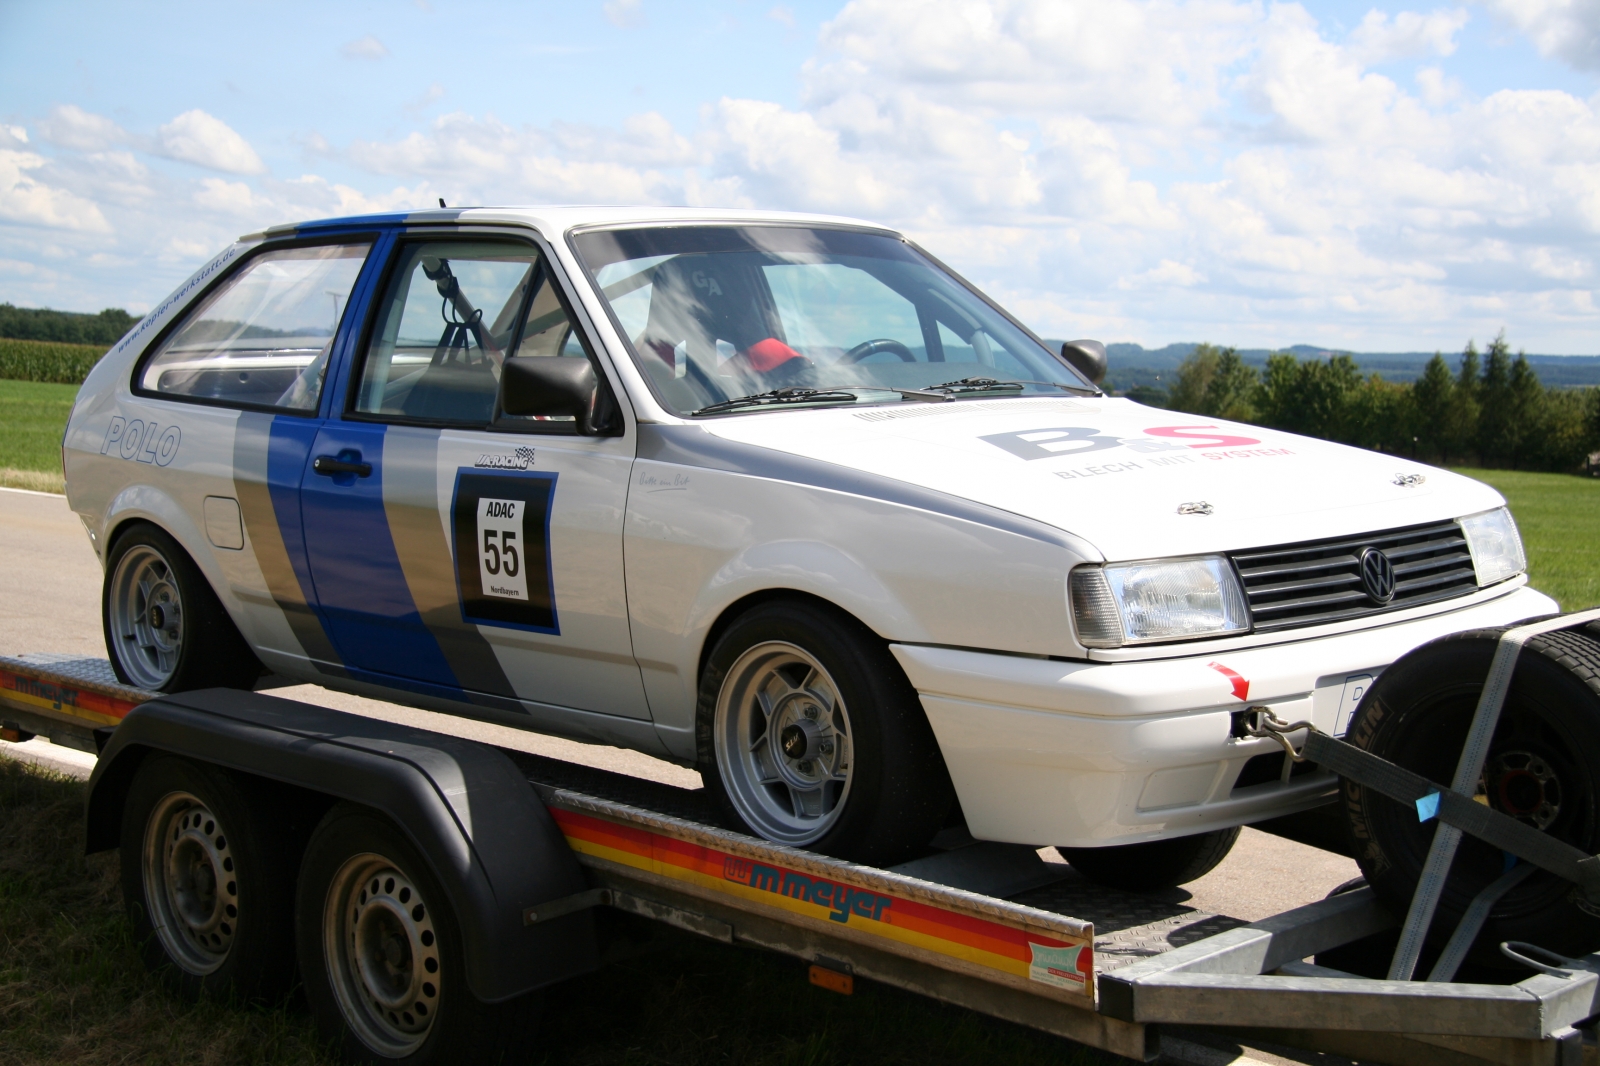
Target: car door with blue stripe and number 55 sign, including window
x,y
455,553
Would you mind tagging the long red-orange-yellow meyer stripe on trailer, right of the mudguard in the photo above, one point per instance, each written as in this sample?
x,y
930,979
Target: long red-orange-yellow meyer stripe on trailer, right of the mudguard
x,y
886,915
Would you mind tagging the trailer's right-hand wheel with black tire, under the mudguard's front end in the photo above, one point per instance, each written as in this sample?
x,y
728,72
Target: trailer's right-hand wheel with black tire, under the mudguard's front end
x,y
383,960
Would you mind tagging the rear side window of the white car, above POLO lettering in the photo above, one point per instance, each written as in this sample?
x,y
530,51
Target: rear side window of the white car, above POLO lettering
x,y
265,337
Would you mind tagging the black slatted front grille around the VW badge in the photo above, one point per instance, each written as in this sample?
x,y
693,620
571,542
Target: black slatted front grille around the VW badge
x,y
1321,582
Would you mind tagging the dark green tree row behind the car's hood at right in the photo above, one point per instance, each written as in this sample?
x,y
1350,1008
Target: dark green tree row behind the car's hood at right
x,y
1490,411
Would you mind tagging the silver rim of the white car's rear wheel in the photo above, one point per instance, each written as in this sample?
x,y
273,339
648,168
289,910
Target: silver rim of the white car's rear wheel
x,y
146,617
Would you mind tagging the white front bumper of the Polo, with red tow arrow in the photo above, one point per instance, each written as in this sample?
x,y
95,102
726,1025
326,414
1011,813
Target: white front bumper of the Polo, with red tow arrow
x,y
1089,755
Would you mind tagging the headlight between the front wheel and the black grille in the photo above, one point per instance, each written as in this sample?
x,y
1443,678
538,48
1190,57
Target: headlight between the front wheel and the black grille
x,y
1158,601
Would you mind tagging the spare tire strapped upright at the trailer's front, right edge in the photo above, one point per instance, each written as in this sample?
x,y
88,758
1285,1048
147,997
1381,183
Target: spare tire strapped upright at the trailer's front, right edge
x,y
1542,769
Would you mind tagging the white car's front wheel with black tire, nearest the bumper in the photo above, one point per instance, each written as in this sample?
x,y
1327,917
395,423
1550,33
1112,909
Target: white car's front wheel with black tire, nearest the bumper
x,y
852,769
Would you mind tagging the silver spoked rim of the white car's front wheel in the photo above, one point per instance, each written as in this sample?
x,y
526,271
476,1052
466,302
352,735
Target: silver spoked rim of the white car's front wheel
x,y
783,743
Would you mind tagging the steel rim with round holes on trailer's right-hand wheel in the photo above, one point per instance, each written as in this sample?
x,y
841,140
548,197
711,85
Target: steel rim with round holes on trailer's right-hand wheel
x,y
383,955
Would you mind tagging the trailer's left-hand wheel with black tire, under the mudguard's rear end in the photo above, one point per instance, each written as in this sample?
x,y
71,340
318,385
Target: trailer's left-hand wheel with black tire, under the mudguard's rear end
x,y
209,883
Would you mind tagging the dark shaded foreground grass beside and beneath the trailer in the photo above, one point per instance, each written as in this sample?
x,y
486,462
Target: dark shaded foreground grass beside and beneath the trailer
x,y
73,988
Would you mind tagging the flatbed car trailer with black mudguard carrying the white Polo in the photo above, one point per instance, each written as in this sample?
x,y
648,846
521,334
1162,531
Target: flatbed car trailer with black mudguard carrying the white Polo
x,y
532,852
